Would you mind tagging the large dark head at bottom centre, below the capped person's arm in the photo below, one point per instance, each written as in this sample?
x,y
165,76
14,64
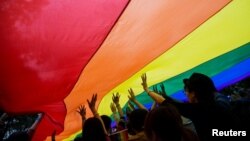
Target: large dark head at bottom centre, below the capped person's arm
x,y
164,123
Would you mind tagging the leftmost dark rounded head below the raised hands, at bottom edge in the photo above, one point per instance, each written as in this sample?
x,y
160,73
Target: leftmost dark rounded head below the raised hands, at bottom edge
x,y
93,130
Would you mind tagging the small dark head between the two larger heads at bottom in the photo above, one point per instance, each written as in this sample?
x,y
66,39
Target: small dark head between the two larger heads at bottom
x,y
136,119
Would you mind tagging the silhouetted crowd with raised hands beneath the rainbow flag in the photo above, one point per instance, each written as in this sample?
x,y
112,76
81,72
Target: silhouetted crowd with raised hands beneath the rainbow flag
x,y
207,114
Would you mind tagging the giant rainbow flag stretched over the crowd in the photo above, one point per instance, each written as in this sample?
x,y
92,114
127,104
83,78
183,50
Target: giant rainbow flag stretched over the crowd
x,y
55,54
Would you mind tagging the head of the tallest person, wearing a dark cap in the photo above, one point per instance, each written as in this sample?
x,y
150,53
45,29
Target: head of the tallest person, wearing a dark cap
x,y
199,88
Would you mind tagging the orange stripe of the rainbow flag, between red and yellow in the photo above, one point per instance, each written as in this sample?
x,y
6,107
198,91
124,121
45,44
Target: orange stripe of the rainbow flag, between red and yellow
x,y
145,30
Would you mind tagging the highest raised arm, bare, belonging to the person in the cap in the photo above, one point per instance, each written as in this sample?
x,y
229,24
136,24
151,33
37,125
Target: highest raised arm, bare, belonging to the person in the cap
x,y
155,96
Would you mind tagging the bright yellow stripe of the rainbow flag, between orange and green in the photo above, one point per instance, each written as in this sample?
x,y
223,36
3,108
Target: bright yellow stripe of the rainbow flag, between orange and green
x,y
224,32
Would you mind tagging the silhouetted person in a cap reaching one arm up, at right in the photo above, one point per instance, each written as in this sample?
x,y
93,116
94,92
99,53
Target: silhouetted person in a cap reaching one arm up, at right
x,y
202,108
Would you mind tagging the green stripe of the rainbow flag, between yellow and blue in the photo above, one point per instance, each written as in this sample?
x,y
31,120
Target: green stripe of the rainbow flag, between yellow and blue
x,y
210,68
